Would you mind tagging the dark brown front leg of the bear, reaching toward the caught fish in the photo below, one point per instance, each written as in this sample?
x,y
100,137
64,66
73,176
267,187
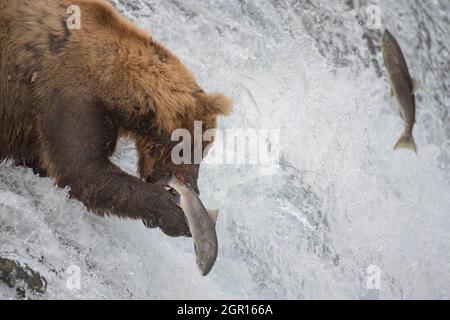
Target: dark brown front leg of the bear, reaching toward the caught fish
x,y
78,142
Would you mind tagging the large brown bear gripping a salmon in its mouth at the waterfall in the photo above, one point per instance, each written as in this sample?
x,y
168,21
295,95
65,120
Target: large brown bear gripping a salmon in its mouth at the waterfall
x,y
67,95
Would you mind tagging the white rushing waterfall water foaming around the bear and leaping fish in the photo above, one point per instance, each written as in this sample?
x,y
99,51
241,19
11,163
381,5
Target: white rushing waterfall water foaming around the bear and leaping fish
x,y
342,201
